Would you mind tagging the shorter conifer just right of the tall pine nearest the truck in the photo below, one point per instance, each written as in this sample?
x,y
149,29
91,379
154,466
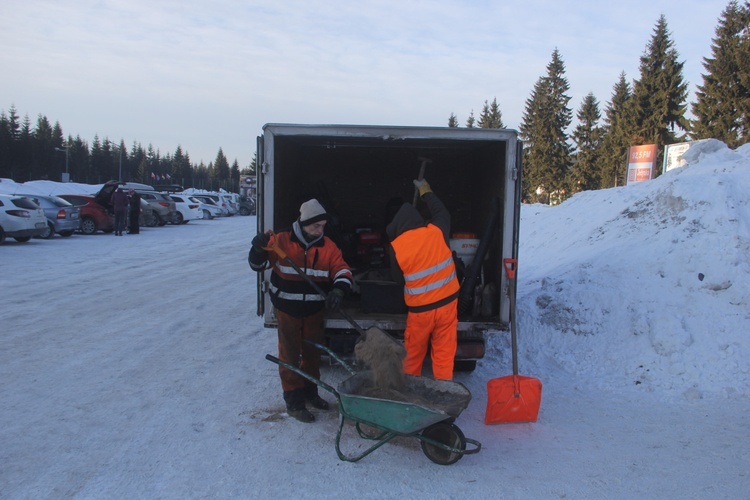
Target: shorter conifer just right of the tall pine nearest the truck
x,y
585,174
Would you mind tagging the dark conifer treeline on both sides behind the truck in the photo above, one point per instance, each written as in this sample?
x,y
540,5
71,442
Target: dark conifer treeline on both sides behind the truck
x,y
558,161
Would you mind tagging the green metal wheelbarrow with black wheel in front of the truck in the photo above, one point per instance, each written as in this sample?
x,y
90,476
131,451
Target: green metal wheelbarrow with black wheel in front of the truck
x,y
428,414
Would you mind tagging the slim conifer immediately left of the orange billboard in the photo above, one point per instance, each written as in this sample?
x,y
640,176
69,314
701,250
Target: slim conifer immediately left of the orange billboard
x,y
616,138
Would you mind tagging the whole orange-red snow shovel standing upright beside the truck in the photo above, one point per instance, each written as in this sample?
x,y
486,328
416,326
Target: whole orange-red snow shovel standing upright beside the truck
x,y
513,398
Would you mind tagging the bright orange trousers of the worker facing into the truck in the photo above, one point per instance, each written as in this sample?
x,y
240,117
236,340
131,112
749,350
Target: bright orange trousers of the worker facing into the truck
x,y
436,329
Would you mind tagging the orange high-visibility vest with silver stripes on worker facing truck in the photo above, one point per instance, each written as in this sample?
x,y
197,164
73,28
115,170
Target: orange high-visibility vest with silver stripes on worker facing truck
x,y
427,264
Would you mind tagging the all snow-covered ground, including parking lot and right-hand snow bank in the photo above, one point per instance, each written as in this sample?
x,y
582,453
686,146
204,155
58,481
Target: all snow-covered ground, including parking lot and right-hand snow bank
x,y
134,367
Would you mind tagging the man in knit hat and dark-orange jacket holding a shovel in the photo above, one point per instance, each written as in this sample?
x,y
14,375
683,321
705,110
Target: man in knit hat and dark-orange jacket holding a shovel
x,y
299,307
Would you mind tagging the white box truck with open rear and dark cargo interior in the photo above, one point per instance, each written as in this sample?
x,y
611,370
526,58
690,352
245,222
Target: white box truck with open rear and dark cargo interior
x,y
359,174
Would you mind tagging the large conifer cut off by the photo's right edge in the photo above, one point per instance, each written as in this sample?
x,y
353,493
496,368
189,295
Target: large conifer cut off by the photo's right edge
x,y
722,108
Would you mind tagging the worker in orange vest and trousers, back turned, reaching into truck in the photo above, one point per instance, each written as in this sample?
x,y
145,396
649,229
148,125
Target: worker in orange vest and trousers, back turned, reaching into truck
x,y
421,252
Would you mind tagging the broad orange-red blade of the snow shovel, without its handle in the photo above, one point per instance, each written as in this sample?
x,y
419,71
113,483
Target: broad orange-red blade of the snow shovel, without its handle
x,y
513,399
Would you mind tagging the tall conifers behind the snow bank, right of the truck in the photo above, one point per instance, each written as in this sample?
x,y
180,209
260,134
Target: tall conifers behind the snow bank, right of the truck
x,y
650,110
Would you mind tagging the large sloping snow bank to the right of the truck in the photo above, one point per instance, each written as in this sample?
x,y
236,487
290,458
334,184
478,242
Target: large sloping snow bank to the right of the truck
x,y
646,285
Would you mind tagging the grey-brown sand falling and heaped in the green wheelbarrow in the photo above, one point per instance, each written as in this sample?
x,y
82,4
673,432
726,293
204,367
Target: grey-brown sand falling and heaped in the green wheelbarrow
x,y
384,356
